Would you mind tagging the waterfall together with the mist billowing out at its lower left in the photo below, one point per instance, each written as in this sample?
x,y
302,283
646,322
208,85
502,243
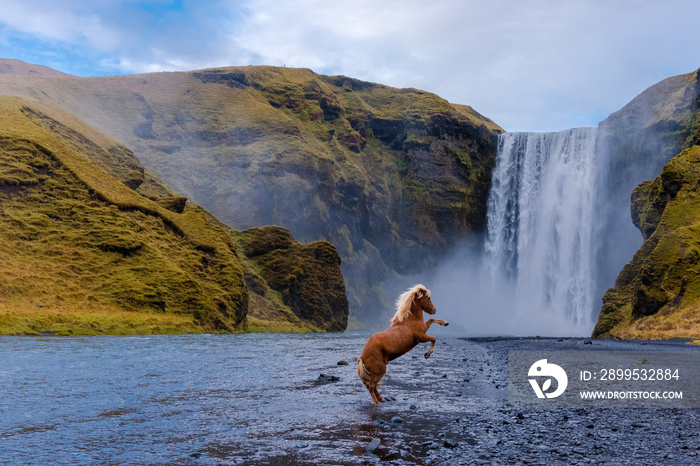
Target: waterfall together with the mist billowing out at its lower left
x,y
535,271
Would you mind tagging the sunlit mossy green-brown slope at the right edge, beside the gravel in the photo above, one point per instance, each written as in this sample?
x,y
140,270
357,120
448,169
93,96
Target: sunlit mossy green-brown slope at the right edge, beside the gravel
x,y
658,293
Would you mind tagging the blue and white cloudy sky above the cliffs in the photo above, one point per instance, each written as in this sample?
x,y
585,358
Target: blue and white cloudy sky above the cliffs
x,y
535,65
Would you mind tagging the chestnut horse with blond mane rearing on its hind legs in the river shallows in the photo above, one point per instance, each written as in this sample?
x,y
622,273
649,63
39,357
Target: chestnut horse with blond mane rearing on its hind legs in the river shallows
x,y
407,330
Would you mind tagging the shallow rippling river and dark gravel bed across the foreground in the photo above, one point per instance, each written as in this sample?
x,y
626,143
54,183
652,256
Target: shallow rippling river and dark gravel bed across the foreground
x,y
257,399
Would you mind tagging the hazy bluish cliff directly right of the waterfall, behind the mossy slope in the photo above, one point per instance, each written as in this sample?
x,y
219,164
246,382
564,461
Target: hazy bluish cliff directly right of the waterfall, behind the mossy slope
x,y
637,142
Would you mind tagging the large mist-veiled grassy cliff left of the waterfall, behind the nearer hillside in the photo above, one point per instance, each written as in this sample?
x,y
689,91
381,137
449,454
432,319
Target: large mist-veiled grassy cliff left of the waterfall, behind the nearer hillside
x,y
391,177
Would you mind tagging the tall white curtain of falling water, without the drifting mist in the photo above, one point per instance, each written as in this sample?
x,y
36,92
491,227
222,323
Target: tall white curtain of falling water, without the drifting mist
x,y
541,223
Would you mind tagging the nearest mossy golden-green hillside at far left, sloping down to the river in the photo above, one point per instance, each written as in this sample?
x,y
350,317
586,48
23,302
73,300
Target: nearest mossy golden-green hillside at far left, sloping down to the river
x,y
74,237
